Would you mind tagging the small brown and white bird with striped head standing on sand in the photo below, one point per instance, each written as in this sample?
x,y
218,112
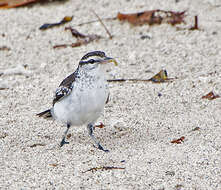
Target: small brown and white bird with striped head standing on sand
x,y
81,97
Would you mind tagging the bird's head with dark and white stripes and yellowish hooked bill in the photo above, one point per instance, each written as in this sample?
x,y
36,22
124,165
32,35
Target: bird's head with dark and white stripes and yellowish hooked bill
x,y
94,59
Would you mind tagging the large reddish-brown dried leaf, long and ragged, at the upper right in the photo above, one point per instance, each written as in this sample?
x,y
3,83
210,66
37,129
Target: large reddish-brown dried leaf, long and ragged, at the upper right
x,y
153,17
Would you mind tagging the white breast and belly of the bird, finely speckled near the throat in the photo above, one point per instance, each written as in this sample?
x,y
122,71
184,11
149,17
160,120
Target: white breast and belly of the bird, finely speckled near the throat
x,y
86,102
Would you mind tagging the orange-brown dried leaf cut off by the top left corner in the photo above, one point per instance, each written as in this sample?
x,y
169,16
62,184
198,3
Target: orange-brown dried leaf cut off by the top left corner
x,y
5,4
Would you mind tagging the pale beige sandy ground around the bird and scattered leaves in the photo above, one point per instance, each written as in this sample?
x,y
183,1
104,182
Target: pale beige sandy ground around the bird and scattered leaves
x,y
139,124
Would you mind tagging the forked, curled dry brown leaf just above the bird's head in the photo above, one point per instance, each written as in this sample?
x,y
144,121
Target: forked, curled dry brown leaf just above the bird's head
x,y
82,39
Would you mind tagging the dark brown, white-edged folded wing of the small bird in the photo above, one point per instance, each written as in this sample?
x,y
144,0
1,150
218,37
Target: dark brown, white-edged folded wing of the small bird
x,y
64,88
